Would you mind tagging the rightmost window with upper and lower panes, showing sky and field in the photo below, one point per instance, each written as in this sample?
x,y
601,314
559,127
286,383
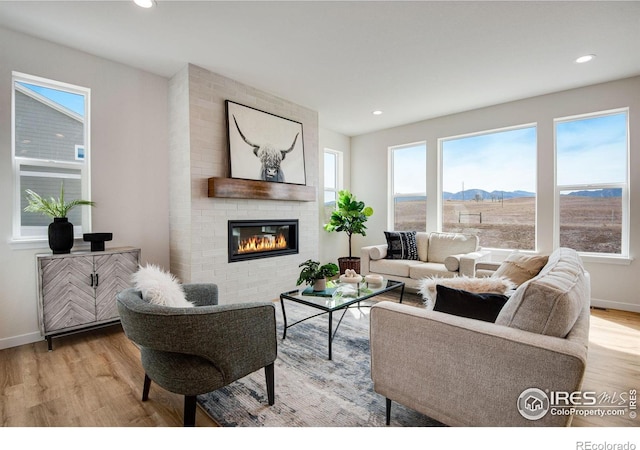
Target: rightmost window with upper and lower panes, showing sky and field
x,y
592,191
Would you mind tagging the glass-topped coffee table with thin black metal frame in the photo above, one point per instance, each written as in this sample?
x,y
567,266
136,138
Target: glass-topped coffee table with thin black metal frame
x,y
328,303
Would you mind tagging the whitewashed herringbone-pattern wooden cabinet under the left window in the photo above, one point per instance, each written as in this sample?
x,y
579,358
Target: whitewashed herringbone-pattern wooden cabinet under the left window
x,y
77,291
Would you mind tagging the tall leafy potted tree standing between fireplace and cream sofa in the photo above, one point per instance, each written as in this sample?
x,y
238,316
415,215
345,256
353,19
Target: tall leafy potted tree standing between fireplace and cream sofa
x,y
349,216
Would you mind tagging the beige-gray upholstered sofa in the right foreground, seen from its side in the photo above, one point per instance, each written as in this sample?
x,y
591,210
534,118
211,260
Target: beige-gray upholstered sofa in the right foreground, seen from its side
x,y
467,372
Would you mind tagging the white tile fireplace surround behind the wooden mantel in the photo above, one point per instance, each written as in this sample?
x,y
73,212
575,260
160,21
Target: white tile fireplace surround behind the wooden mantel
x,y
198,223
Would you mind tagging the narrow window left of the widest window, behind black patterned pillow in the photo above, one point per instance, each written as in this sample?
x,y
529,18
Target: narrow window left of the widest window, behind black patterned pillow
x,y
408,209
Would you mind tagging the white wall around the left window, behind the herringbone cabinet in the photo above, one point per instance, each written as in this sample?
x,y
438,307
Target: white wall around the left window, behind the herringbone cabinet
x,y
129,164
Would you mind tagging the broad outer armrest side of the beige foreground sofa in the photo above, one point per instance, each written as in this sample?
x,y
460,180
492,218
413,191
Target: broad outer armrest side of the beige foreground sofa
x,y
465,372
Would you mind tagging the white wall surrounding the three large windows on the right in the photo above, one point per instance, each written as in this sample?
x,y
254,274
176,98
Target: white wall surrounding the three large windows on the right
x,y
614,285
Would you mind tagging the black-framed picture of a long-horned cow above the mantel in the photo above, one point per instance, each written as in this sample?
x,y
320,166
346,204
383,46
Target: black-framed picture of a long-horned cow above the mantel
x,y
263,146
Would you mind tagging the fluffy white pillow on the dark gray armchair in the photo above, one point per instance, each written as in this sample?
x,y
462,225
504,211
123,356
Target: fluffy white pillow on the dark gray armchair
x,y
160,287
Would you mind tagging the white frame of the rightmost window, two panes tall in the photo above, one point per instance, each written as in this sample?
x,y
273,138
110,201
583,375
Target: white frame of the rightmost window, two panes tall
x,y
624,186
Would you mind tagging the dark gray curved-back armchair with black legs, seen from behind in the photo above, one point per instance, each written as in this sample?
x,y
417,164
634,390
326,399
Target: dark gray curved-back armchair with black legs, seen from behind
x,y
192,351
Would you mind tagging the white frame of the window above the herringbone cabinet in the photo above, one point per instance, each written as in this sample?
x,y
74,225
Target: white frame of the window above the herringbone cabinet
x,y
35,240
